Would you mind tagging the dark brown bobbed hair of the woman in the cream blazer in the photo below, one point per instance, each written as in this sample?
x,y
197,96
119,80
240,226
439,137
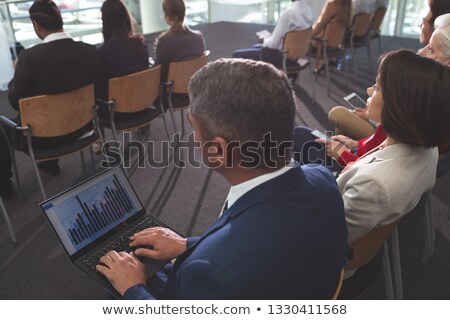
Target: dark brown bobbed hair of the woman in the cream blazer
x,y
416,93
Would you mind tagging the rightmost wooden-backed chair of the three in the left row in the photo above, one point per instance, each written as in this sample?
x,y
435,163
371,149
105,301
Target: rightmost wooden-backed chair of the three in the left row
x,y
176,87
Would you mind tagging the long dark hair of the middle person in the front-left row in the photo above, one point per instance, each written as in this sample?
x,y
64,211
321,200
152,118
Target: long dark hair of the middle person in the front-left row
x,y
116,20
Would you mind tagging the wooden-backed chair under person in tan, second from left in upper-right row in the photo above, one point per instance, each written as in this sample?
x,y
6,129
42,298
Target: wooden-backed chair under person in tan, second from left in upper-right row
x,y
330,45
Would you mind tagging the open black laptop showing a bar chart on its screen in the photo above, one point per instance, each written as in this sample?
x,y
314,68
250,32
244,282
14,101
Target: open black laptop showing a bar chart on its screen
x,y
99,215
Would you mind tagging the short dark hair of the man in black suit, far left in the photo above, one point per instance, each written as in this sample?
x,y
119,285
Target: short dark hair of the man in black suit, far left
x,y
46,13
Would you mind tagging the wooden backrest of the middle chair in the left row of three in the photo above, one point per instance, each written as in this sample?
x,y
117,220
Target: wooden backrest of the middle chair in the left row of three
x,y
137,91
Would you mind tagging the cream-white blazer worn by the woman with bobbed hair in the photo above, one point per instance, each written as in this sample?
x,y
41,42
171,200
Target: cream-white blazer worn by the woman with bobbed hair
x,y
383,186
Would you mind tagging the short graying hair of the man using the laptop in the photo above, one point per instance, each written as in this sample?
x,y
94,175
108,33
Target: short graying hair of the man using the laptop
x,y
242,100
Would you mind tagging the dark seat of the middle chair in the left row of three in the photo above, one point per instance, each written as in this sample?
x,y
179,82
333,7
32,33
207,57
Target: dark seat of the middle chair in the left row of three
x,y
125,121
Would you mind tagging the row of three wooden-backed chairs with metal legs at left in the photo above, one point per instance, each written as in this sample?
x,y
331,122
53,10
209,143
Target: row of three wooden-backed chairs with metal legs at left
x,y
137,97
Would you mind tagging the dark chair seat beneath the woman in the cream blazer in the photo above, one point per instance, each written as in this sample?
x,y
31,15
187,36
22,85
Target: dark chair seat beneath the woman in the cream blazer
x,y
363,277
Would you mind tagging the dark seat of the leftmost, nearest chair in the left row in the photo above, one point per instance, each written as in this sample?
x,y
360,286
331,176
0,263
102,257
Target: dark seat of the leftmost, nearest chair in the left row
x,y
66,148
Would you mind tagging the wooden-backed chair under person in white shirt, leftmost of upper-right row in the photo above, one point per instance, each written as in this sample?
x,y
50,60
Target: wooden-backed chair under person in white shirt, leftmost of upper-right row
x,y
296,46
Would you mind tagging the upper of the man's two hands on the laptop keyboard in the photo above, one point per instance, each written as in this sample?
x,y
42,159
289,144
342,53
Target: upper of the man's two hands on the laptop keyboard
x,y
166,243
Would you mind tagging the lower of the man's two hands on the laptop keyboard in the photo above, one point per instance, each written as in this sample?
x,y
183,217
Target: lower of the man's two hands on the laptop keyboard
x,y
123,270
